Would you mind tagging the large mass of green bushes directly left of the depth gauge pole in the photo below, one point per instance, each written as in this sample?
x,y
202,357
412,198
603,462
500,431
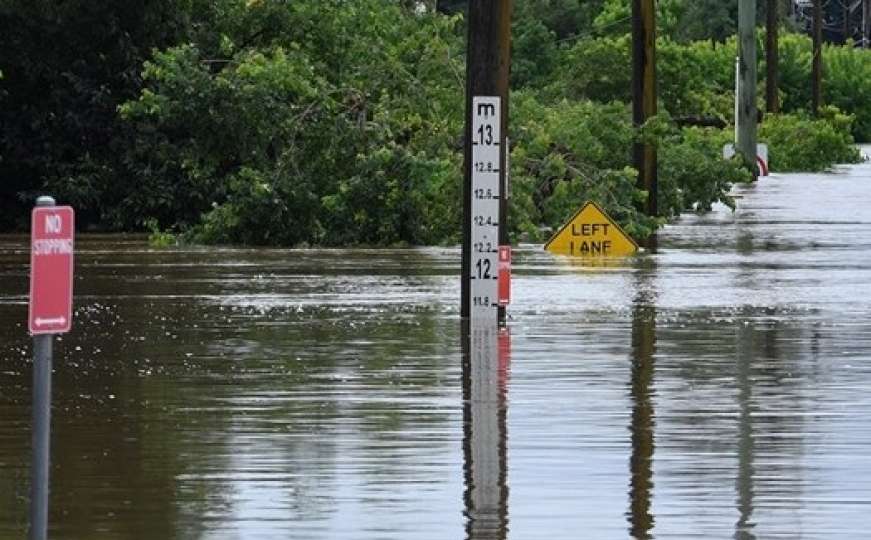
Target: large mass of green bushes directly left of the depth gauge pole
x,y
329,145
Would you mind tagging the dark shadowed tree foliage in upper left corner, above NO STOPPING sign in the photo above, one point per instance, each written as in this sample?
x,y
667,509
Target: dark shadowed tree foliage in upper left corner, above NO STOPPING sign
x,y
67,65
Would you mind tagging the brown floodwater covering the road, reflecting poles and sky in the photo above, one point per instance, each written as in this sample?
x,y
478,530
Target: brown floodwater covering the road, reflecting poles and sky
x,y
718,388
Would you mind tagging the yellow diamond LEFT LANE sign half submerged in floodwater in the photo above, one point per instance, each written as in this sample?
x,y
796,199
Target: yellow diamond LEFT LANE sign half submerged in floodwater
x,y
591,233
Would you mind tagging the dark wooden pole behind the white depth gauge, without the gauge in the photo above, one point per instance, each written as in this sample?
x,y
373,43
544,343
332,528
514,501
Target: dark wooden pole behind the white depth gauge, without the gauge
x,y
487,69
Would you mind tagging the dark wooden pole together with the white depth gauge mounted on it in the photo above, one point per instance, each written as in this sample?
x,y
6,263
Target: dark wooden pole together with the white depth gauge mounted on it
x,y
484,186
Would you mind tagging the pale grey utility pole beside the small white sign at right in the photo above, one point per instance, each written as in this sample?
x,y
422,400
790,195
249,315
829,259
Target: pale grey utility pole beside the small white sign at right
x,y
747,88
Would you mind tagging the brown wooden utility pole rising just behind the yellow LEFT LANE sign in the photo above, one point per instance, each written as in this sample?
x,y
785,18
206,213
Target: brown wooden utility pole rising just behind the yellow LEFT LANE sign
x,y
644,95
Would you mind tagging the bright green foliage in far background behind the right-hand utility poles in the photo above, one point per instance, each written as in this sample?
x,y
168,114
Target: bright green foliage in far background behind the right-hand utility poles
x,y
697,78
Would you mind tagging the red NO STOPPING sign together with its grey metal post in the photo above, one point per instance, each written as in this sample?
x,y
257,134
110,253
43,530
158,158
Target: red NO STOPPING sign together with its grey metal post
x,y
50,312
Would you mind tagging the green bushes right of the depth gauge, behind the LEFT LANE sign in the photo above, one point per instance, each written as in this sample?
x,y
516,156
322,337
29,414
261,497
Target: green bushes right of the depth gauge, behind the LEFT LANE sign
x,y
572,152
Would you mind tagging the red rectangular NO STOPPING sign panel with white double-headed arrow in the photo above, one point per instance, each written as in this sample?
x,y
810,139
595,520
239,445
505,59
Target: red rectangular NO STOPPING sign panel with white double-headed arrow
x,y
51,270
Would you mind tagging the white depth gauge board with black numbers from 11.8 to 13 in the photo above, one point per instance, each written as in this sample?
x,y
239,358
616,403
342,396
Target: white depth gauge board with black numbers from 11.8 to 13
x,y
486,195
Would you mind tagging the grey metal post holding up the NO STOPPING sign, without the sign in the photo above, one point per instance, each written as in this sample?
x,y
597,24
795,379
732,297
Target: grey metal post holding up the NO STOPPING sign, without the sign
x,y
41,429
